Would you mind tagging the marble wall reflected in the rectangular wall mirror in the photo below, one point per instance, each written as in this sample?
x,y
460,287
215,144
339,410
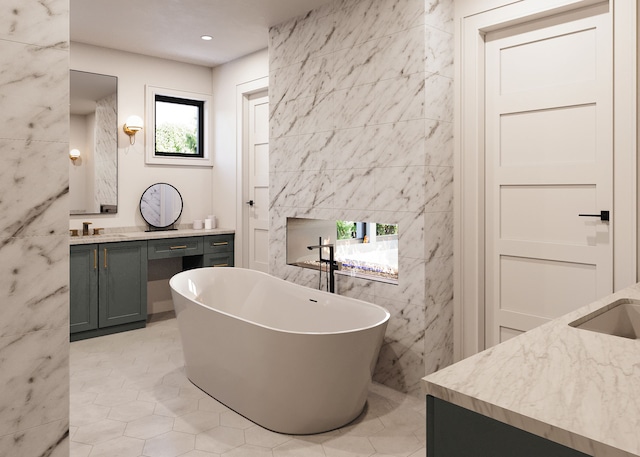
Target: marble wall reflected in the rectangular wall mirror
x,y
106,152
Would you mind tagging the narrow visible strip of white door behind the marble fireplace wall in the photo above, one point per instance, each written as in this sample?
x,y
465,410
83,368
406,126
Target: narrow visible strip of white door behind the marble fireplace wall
x,y
257,188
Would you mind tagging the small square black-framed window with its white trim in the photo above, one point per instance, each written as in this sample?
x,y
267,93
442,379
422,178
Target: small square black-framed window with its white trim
x,y
178,126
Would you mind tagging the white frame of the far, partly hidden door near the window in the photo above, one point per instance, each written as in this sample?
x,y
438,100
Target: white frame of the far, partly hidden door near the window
x,y
243,92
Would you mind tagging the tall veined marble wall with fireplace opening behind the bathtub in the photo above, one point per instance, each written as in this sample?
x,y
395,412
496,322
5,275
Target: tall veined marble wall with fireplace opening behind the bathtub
x,y
361,129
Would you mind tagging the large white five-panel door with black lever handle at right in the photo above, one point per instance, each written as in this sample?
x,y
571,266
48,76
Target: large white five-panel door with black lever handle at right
x,y
549,145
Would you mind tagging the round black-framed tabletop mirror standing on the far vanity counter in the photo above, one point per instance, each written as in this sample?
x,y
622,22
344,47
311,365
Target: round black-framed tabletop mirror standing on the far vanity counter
x,y
161,206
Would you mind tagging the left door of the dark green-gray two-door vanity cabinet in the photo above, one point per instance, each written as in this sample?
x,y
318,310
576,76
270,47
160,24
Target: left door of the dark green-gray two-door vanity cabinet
x,y
83,288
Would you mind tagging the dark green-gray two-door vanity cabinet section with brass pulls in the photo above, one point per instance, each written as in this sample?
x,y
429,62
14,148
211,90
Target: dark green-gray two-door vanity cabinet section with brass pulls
x,y
108,288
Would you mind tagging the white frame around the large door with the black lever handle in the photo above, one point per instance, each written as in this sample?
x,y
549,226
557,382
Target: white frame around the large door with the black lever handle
x,y
473,20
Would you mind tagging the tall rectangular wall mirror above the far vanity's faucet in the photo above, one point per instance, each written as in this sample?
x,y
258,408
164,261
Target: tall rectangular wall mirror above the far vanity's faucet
x,y
93,175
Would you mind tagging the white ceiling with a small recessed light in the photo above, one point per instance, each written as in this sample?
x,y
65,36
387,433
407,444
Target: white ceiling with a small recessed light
x,y
171,29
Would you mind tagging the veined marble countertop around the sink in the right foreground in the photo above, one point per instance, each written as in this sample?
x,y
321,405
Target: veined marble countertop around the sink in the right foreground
x,y
576,387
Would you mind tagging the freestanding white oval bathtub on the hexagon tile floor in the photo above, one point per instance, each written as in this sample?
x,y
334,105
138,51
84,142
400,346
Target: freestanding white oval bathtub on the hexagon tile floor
x,y
292,359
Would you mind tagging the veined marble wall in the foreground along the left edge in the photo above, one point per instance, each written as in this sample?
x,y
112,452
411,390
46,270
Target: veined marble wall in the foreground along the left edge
x,y
34,303
